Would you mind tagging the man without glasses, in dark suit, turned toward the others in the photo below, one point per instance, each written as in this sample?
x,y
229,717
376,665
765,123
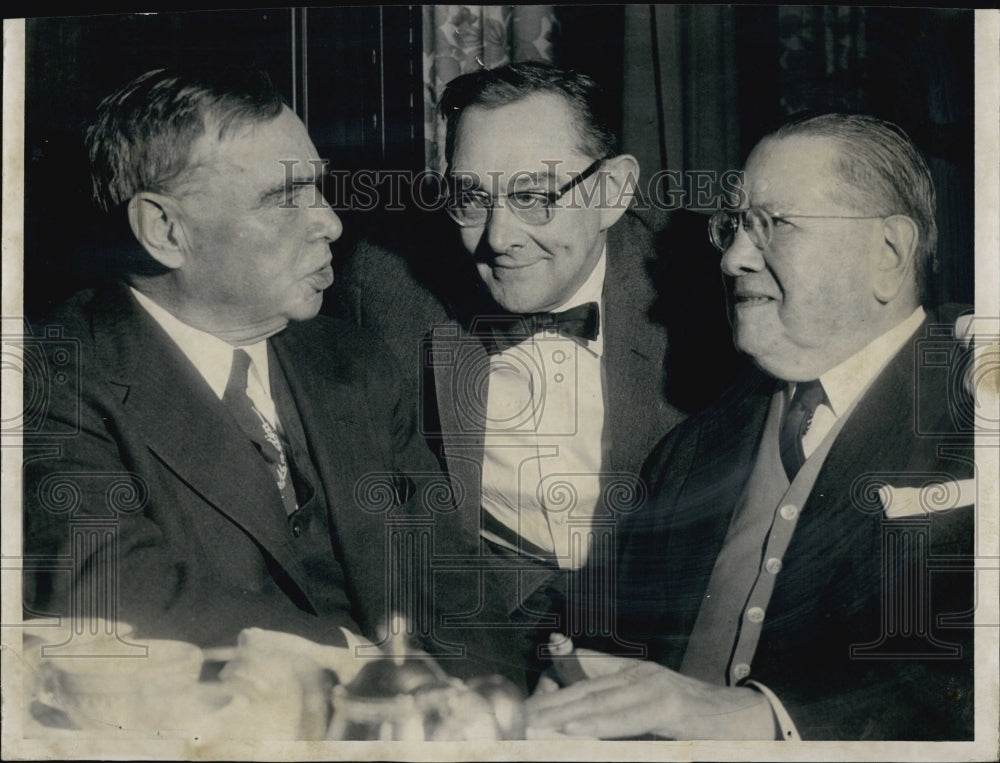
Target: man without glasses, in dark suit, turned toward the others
x,y
212,456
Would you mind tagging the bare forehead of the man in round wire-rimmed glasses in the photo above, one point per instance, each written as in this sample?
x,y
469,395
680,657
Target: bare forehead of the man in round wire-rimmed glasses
x,y
794,173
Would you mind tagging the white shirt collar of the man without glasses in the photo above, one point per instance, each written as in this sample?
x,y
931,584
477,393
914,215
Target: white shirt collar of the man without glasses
x,y
212,356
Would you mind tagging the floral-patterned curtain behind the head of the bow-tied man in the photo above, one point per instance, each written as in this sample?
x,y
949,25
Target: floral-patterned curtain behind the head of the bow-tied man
x,y
461,38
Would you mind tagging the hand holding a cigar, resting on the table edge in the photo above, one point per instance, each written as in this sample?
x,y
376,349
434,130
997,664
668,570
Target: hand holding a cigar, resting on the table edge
x,y
624,697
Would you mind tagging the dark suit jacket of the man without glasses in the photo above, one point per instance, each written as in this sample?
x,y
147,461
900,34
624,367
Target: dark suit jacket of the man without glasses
x,y
130,457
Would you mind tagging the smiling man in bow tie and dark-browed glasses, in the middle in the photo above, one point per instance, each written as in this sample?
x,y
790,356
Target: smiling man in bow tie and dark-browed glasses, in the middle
x,y
540,369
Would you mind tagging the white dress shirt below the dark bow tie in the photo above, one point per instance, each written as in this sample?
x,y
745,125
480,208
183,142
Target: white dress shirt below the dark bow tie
x,y
543,447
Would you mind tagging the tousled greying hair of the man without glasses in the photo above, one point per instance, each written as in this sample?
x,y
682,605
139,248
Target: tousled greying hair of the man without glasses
x,y
144,131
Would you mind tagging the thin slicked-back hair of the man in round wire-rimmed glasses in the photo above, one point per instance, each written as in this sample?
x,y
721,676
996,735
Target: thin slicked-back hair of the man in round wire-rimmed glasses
x,y
885,172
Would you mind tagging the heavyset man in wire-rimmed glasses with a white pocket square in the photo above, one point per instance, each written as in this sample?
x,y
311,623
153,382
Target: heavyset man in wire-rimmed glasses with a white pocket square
x,y
803,566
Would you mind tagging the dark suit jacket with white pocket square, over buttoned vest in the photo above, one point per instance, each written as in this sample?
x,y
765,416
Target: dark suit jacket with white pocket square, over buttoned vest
x,y
835,650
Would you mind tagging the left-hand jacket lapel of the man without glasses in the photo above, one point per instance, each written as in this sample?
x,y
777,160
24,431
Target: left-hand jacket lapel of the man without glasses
x,y
187,428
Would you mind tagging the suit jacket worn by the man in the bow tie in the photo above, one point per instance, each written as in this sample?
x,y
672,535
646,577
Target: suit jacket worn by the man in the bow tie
x,y
402,295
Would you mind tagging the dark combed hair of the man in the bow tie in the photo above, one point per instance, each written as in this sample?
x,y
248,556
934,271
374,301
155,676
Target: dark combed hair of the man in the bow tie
x,y
491,88
